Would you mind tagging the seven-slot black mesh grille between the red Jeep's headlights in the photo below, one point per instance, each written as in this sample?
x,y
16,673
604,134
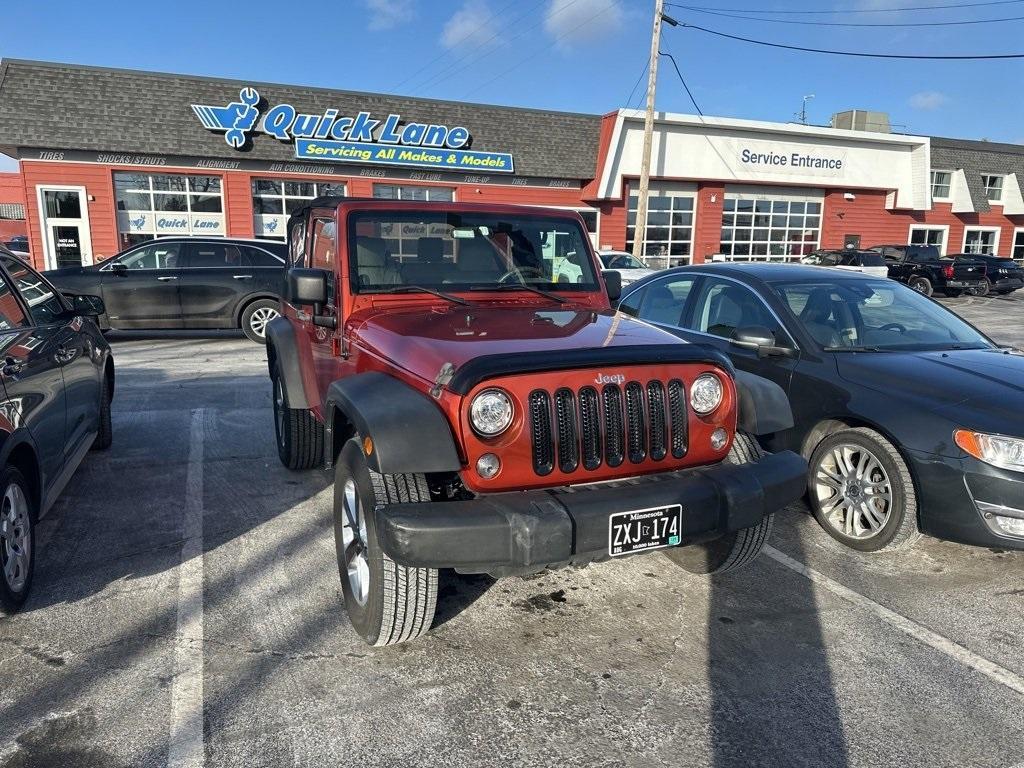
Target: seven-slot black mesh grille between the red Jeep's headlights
x,y
589,428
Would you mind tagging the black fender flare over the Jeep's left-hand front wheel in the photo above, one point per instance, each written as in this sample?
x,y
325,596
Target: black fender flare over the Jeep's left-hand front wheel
x,y
409,432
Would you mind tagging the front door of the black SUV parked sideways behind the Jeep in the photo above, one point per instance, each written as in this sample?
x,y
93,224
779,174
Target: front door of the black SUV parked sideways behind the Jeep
x,y
141,288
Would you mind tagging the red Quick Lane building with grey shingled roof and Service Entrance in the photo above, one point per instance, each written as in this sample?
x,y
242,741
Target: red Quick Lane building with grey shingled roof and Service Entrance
x,y
113,157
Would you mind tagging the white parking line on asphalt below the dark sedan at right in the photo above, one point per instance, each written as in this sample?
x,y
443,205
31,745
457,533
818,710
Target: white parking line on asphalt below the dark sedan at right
x,y
908,626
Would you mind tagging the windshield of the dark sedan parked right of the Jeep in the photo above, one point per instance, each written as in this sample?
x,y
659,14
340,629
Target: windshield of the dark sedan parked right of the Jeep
x,y
876,316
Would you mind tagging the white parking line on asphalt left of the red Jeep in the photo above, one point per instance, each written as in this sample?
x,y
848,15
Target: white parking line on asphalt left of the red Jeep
x,y
186,749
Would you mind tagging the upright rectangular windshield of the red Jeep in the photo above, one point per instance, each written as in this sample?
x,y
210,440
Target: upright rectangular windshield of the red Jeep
x,y
455,252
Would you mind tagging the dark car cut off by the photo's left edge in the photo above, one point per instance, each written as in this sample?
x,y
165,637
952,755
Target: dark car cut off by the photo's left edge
x,y
57,381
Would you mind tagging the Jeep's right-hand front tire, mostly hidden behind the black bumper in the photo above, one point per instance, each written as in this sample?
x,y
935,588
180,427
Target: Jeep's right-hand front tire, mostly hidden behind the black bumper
x,y
733,550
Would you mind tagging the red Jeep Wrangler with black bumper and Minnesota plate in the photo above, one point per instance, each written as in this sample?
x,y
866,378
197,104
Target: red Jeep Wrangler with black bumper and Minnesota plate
x,y
487,410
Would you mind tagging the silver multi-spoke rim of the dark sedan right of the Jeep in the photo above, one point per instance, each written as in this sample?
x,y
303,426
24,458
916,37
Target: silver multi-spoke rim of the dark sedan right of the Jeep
x,y
854,491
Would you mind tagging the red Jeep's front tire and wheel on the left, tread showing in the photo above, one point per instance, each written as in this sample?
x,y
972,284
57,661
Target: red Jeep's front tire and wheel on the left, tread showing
x,y
388,604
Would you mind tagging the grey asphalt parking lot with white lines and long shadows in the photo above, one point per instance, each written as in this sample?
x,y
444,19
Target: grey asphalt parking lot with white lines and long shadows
x,y
135,651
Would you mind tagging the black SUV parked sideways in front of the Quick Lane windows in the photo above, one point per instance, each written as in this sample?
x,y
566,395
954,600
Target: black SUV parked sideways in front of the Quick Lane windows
x,y
186,283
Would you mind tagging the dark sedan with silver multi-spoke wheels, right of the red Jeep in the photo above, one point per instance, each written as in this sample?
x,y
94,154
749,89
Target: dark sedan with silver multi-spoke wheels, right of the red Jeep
x,y
913,420
